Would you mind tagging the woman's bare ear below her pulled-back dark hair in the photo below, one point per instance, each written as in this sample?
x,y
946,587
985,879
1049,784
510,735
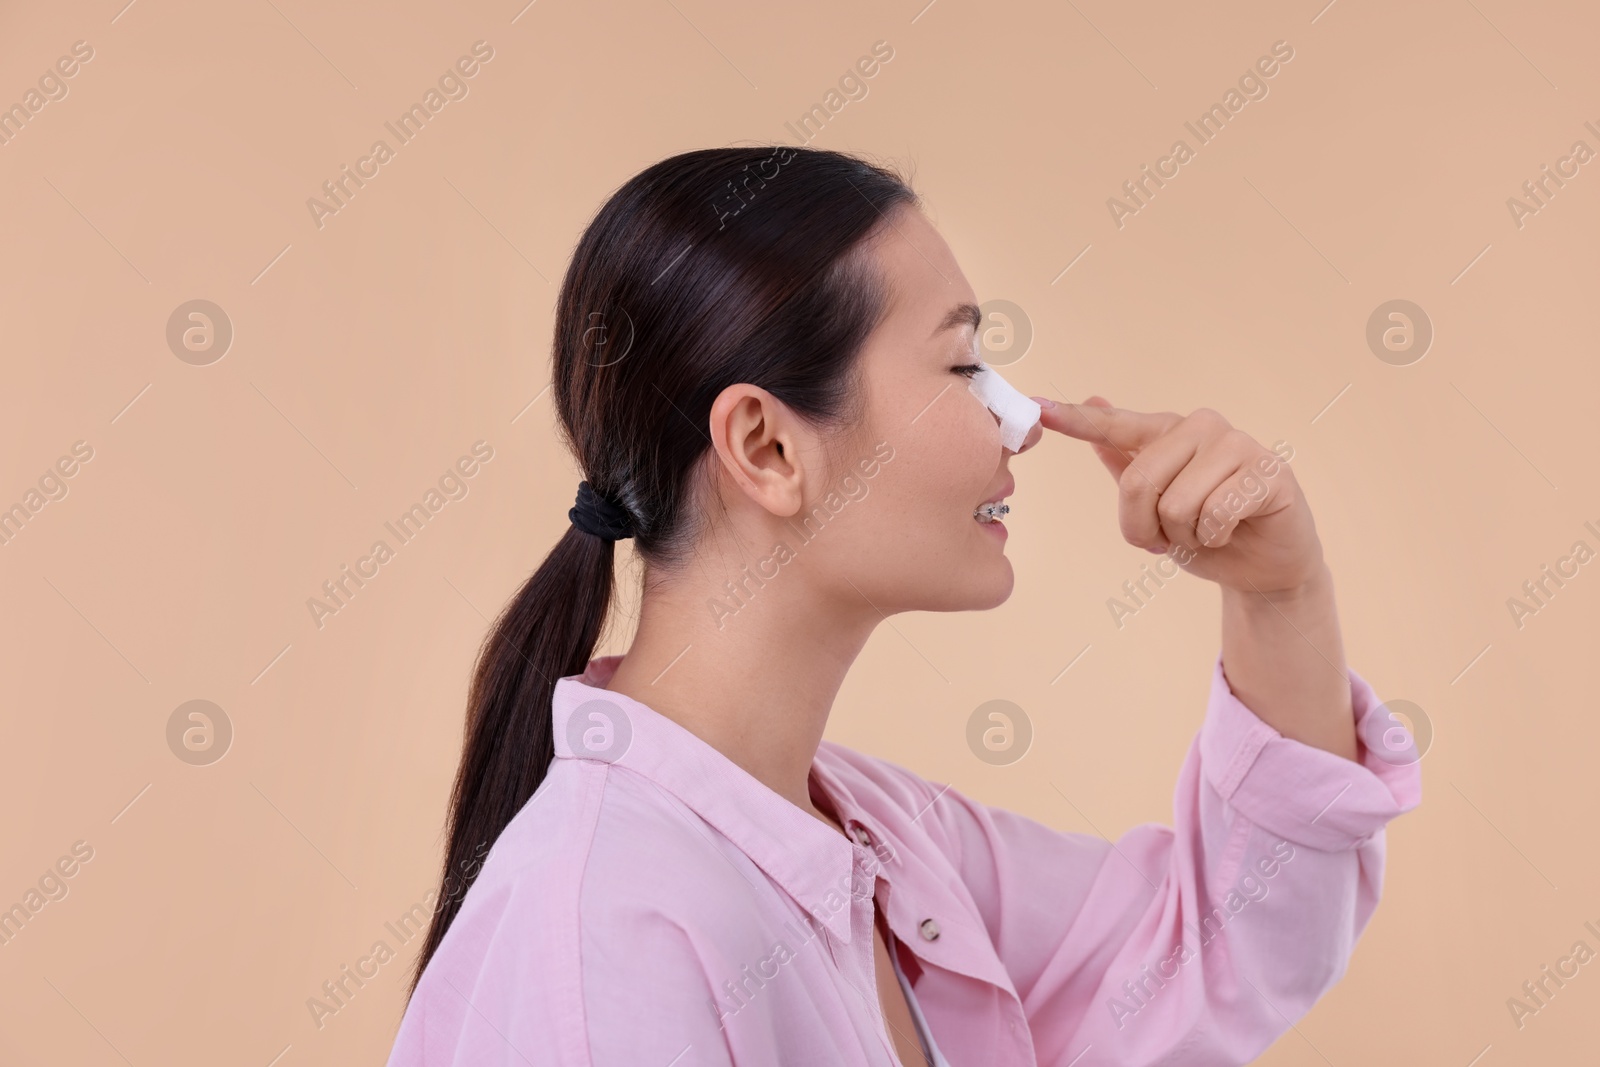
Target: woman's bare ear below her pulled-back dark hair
x,y
761,446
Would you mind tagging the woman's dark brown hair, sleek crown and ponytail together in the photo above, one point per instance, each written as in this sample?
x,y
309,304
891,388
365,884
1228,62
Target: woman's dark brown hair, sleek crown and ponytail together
x,y
703,271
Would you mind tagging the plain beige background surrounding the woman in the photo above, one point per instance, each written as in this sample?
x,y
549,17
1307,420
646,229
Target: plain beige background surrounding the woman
x,y
372,353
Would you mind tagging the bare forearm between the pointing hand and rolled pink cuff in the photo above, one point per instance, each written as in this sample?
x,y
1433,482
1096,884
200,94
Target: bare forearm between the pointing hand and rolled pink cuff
x,y
1284,658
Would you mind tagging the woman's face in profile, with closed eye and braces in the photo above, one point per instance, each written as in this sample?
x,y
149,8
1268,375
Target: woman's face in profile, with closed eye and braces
x,y
908,540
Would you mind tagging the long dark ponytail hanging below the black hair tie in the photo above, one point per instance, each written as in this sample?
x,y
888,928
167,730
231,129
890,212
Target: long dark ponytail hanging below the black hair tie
x,y
548,631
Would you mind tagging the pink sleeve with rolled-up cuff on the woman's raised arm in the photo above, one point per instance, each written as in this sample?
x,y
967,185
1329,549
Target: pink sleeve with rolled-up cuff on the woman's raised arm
x,y
1199,943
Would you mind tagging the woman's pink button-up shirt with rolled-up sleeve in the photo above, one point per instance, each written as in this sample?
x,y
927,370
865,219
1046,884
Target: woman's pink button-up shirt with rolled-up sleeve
x,y
655,906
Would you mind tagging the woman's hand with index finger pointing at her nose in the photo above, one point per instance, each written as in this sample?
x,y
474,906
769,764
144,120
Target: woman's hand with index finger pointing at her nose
x,y
1209,495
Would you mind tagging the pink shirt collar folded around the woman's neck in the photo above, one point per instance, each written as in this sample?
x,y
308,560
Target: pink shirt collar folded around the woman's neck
x,y
809,860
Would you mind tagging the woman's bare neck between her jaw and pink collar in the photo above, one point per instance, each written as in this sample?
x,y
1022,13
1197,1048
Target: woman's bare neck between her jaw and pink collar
x,y
759,684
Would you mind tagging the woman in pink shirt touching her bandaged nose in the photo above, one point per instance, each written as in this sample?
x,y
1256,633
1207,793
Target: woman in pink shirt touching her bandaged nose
x,y
762,364
